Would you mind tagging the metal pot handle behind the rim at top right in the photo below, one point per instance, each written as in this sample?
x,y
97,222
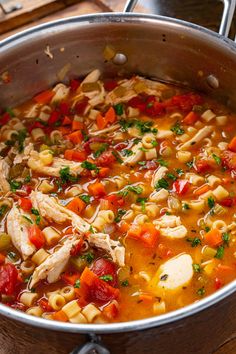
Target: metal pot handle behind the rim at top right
x,y
226,20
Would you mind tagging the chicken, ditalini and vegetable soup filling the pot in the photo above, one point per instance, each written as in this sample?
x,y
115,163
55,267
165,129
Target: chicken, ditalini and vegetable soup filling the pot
x,y
117,200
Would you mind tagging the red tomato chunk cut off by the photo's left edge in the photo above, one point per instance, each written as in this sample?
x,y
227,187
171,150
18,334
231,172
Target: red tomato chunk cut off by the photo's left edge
x,y
8,278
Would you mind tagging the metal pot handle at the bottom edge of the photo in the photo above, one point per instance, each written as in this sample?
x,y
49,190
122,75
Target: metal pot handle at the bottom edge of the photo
x,y
94,346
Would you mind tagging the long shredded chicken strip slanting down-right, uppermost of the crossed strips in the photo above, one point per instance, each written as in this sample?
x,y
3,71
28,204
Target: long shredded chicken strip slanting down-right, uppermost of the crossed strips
x,y
53,211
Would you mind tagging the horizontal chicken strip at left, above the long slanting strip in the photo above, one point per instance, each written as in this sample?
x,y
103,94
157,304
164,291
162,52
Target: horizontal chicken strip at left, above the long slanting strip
x,y
58,163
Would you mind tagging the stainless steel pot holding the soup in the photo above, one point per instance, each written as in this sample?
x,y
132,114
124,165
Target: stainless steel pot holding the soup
x,y
155,46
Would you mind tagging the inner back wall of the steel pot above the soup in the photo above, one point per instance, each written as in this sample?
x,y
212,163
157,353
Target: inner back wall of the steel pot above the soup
x,y
155,47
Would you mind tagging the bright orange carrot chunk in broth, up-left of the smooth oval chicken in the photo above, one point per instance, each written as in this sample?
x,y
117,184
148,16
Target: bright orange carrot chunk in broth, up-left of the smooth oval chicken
x,y
147,233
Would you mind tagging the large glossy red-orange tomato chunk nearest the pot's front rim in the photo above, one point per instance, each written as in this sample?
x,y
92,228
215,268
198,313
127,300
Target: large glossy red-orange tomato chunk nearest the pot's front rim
x,y
97,290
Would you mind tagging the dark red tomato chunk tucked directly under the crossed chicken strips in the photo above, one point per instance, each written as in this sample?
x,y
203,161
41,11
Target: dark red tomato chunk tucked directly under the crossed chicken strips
x,y
102,267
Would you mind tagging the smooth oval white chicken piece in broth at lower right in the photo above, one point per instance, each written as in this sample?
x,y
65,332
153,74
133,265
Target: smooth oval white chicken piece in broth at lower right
x,y
173,274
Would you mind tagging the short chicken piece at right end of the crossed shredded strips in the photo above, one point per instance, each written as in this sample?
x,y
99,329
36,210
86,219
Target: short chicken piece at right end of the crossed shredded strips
x,y
114,248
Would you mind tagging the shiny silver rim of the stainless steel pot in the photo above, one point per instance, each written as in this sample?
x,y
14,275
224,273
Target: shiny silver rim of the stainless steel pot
x,y
150,322
